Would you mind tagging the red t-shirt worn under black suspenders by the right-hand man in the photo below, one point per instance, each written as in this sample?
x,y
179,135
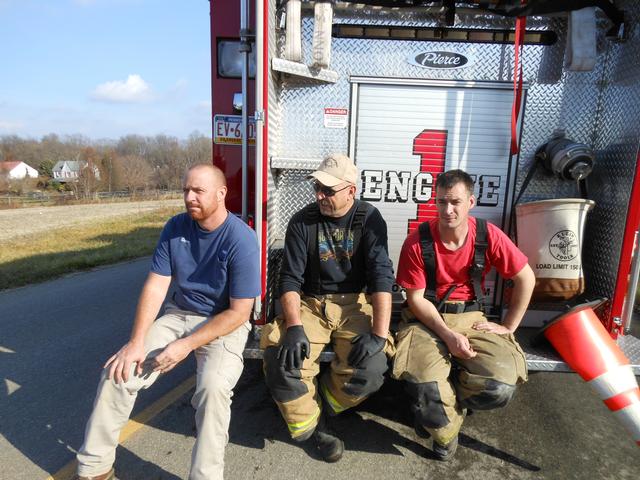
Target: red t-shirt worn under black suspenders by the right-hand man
x,y
452,267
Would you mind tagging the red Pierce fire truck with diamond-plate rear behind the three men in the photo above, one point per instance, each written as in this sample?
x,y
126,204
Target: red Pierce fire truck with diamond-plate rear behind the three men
x,y
537,101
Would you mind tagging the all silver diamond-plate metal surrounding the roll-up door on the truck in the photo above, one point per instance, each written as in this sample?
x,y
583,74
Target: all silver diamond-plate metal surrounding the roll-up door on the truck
x,y
600,108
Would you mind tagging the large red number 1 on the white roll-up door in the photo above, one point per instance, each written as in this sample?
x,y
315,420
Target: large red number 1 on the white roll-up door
x,y
431,145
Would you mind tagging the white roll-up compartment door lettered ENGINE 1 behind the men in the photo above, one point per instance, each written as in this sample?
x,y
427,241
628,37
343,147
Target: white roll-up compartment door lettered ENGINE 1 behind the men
x,y
403,135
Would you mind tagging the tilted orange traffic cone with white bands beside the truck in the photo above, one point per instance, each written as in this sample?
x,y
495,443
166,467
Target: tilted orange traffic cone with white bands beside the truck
x,y
582,342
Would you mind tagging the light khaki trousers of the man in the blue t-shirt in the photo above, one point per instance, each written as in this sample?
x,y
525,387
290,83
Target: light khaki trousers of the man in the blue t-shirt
x,y
219,366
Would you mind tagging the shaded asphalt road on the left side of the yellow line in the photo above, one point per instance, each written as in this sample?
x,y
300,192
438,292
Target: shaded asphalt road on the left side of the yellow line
x,y
54,339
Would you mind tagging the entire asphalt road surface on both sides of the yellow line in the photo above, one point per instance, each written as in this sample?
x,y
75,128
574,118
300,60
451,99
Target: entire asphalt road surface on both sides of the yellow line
x,y
55,336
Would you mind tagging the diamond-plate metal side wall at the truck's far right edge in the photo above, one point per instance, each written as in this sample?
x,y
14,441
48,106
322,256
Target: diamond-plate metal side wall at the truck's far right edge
x,y
615,140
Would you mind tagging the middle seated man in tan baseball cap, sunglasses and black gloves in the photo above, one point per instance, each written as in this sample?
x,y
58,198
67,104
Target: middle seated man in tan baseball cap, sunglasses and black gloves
x,y
335,286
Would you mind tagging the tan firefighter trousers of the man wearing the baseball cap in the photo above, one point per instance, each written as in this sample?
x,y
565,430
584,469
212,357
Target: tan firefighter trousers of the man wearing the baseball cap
x,y
334,319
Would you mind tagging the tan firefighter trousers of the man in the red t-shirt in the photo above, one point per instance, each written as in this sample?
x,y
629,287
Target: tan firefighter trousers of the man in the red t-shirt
x,y
442,386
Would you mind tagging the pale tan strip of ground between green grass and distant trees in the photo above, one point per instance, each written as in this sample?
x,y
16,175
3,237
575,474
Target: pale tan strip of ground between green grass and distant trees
x,y
23,222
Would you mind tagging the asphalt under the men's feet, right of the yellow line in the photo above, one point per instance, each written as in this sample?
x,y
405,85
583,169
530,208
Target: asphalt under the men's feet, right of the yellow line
x,y
554,429
